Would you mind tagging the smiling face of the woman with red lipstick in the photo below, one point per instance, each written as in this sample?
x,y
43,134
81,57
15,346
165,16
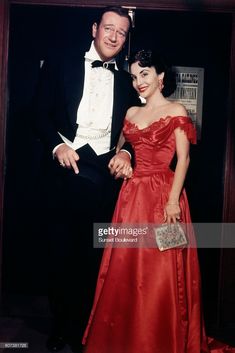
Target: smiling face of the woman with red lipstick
x,y
145,80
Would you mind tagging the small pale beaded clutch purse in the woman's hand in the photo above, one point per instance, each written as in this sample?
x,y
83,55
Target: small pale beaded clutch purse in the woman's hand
x,y
170,236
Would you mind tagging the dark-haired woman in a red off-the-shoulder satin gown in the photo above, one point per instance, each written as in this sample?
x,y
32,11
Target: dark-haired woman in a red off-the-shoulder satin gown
x,y
148,301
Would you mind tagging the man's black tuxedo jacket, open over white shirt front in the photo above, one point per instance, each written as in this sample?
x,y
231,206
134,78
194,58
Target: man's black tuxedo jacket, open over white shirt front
x,y
59,93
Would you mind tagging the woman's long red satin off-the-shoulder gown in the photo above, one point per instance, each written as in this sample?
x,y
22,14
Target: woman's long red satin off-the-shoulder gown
x,y
149,301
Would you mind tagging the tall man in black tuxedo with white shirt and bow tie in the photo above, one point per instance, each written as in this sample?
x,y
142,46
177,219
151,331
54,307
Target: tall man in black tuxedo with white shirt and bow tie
x,y
80,107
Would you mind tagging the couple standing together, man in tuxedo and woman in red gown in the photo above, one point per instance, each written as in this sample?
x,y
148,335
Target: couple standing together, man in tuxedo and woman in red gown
x,y
90,119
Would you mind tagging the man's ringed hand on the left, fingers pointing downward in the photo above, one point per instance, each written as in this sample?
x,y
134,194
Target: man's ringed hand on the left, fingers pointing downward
x,y
67,157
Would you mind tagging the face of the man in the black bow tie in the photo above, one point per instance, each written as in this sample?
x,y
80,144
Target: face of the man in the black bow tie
x,y
110,35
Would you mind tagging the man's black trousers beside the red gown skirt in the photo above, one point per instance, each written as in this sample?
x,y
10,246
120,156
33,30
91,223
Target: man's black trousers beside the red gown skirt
x,y
75,203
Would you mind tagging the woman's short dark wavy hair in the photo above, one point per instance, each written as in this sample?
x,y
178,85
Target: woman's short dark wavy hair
x,y
150,58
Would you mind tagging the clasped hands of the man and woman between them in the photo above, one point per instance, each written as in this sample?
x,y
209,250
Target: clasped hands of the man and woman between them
x,y
120,165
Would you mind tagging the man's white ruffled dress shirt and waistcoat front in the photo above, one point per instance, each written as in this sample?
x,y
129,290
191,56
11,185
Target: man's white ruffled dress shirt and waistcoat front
x,y
94,115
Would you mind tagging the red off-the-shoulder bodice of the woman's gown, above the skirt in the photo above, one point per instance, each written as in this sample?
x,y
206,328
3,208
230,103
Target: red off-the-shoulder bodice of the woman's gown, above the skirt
x,y
154,146
